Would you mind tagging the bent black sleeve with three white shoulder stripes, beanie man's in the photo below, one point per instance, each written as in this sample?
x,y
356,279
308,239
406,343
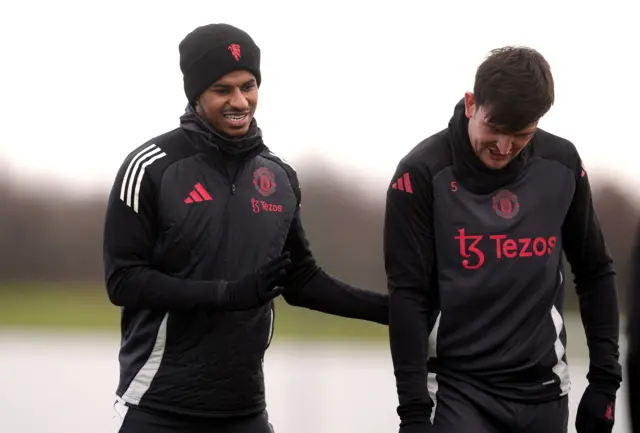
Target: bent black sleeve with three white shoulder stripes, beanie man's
x,y
128,245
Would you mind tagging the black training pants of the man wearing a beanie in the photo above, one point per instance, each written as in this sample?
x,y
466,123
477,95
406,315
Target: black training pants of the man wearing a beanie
x,y
135,420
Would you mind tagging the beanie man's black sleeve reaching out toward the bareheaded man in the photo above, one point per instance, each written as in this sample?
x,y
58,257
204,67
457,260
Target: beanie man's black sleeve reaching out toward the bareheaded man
x,y
311,287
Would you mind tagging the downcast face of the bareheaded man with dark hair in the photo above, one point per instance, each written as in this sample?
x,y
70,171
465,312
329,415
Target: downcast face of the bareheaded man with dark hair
x,y
493,145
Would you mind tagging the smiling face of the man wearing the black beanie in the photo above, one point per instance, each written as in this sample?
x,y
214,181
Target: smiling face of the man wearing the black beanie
x,y
230,103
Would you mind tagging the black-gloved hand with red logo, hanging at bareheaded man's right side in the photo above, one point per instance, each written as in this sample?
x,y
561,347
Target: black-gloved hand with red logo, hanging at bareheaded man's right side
x,y
596,411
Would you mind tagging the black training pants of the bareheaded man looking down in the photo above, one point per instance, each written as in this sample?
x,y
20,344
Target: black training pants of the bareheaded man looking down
x,y
463,408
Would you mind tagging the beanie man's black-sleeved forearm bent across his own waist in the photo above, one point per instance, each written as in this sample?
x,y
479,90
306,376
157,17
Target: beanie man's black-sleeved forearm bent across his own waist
x,y
145,288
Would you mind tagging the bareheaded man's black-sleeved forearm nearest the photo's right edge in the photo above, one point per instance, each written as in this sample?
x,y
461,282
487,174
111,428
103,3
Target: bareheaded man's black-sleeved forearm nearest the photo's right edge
x,y
601,319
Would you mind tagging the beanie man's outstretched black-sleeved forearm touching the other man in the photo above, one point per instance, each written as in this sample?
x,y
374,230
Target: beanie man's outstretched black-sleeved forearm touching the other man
x,y
321,292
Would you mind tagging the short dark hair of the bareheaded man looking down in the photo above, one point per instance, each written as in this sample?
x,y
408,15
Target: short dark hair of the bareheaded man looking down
x,y
515,85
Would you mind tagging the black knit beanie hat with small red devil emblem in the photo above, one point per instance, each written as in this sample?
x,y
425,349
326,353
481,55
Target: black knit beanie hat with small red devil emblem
x,y
209,52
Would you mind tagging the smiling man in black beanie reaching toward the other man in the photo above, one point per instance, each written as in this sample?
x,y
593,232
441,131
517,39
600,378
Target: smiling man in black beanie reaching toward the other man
x,y
203,231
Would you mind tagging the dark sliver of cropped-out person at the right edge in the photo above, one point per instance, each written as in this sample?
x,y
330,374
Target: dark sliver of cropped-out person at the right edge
x,y
633,351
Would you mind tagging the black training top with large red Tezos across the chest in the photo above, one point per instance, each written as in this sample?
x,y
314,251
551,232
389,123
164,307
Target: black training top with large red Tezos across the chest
x,y
474,264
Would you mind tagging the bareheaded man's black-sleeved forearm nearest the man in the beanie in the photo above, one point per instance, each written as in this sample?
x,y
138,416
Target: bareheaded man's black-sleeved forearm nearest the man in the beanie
x,y
408,335
